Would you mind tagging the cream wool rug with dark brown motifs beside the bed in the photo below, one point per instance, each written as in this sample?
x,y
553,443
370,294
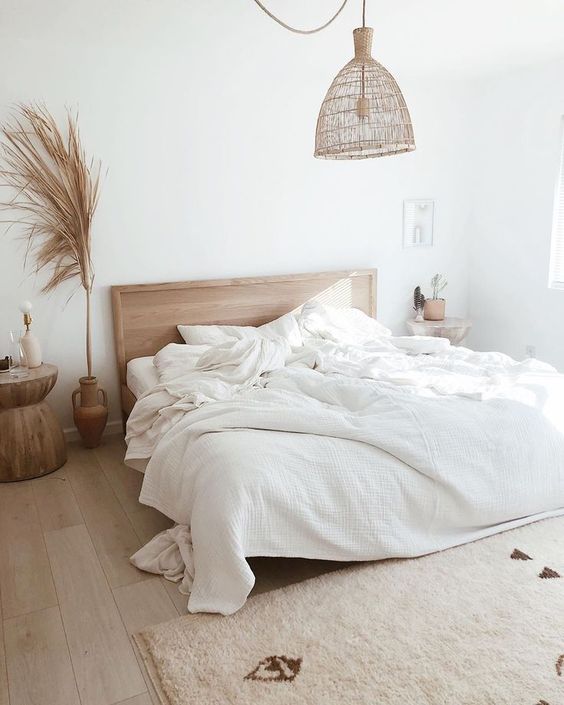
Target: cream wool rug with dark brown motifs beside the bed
x,y
479,624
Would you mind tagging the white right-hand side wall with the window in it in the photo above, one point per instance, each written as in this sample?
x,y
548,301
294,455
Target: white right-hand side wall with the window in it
x,y
515,135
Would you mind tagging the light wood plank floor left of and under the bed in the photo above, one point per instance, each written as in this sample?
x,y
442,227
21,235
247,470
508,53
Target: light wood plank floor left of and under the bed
x,y
70,599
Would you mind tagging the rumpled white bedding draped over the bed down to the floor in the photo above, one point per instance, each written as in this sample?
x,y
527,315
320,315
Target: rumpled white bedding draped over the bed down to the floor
x,y
338,451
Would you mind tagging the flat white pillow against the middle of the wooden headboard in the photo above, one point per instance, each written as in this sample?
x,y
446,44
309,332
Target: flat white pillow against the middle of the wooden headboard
x,y
286,326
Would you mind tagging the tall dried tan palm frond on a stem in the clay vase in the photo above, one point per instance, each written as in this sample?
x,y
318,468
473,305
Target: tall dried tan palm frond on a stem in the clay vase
x,y
54,194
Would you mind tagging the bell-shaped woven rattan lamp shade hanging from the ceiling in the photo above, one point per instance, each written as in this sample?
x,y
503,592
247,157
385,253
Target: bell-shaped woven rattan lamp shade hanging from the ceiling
x,y
364,113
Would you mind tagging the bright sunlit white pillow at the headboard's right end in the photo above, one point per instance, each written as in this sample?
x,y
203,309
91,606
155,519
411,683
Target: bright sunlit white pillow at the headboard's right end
x,y
340,325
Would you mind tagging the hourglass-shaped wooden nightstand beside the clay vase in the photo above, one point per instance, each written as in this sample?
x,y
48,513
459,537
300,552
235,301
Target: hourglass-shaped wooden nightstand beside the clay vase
x,y
31,438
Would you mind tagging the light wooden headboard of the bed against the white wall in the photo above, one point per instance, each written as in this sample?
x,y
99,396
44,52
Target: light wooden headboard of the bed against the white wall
x,y
146,315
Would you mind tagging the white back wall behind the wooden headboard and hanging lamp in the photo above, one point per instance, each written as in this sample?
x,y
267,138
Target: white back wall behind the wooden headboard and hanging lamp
x,y
205,116
